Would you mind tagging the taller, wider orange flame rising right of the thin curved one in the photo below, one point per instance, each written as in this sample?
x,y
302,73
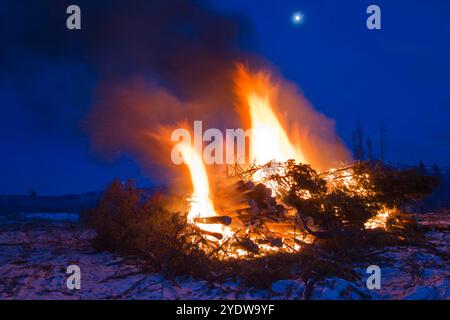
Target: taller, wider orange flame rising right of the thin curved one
x,y
285,126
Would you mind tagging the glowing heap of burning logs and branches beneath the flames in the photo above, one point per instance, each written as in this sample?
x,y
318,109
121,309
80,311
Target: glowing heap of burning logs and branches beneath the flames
x,y
264,222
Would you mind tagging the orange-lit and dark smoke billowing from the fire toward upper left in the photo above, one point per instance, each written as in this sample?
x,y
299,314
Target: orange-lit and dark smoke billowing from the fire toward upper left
x,y
159,64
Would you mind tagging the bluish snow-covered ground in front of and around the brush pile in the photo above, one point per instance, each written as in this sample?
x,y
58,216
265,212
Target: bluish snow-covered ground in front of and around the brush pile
x,y
36,251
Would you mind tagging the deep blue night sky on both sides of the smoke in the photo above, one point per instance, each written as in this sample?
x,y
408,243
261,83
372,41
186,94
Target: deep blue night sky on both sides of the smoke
x,y
399,75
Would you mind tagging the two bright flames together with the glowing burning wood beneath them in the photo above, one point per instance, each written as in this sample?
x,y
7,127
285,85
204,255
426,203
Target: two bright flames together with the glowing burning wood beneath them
x,y
280,202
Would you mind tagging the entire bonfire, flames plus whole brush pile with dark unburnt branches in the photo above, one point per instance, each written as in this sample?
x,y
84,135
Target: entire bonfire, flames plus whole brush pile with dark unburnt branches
x,y
293,203
